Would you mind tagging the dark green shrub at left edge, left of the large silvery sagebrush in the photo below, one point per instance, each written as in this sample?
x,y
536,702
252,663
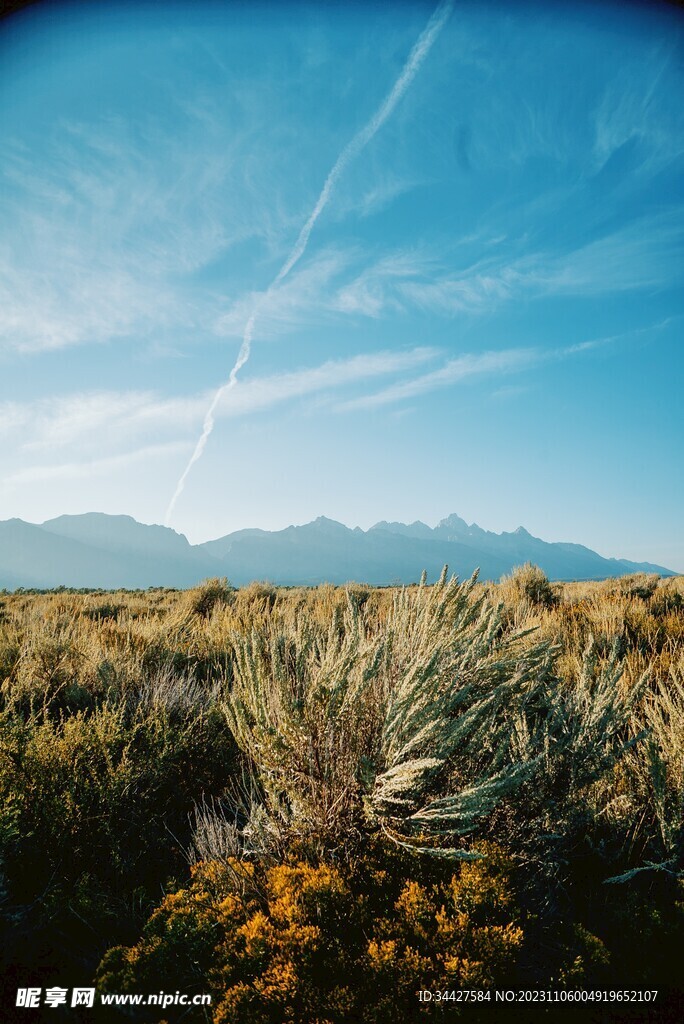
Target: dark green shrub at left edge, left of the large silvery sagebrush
x,y
105,794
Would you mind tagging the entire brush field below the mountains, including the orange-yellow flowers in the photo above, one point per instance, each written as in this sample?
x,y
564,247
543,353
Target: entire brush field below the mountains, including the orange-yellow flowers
x,y
315,804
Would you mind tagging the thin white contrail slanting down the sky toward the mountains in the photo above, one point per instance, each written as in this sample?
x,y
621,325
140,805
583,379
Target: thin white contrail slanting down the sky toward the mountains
x,y
353,149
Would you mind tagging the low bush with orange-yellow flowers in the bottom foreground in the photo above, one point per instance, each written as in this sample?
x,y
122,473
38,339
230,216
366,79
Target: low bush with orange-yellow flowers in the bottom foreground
x,y
318,944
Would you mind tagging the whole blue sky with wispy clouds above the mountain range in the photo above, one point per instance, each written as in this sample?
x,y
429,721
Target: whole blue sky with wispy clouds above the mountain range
x,y
445,242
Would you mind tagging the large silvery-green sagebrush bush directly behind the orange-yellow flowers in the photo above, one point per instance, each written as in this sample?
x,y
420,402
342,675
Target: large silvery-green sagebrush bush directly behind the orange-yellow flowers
x,y
344,722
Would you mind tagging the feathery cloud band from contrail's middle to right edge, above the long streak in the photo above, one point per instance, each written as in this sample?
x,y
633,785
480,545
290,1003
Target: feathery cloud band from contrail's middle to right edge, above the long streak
x,y
644,255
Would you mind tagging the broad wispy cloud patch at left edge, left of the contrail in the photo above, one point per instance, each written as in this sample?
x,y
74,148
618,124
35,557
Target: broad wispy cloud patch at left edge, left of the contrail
x,y
110,224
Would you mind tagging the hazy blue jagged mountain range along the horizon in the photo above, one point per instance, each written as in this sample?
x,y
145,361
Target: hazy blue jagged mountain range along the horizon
x,y
104,551
